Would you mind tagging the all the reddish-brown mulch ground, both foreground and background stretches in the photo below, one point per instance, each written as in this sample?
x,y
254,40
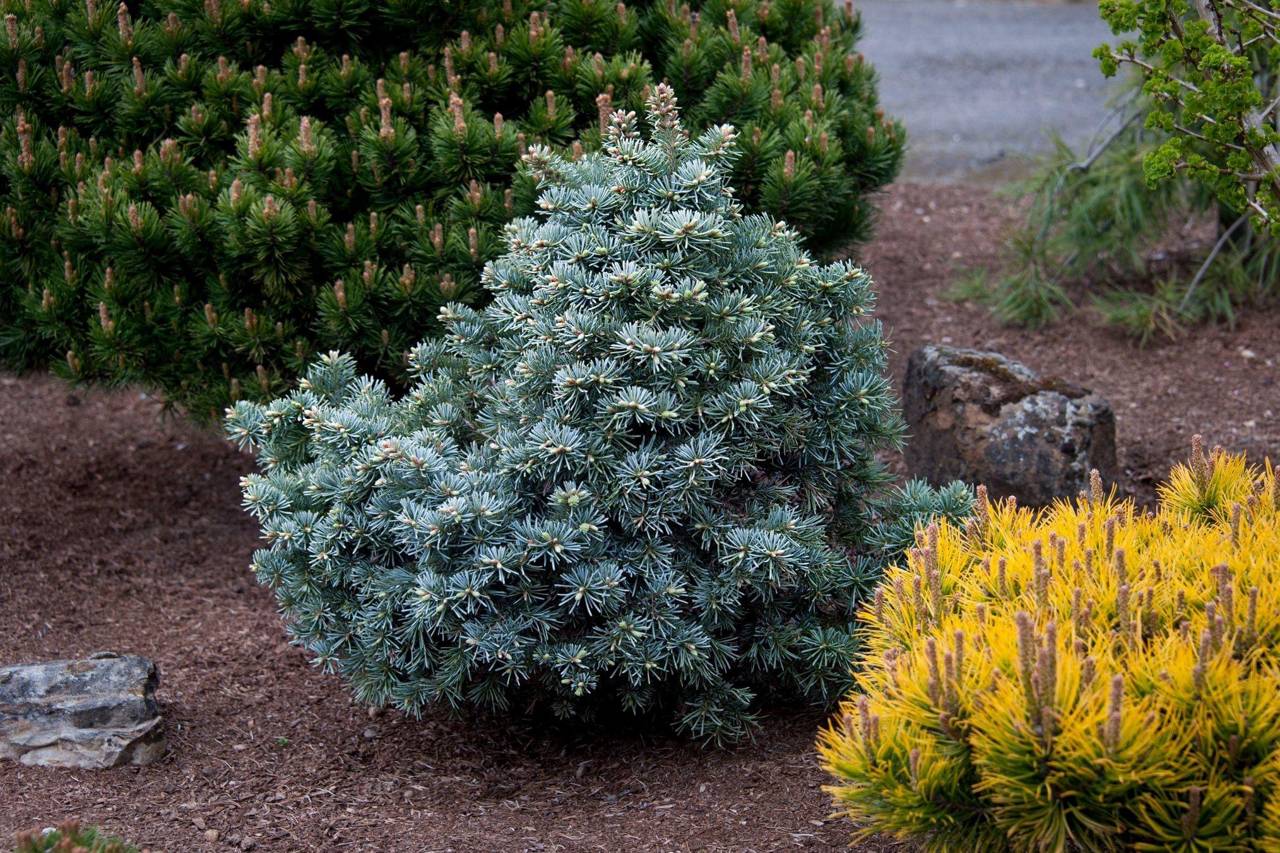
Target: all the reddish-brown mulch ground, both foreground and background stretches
x,y
122,531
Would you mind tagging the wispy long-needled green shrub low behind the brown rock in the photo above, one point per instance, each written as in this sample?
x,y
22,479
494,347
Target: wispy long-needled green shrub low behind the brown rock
x,y
1098,225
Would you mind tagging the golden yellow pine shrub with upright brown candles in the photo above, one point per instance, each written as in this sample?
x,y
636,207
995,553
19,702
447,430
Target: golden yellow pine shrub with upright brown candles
x,y
1086,678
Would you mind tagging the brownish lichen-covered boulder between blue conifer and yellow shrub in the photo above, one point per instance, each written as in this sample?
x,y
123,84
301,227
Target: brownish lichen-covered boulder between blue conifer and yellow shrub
x,y
988,419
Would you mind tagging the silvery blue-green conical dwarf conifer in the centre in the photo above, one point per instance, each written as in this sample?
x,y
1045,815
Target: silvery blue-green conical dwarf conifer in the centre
x,y
642,478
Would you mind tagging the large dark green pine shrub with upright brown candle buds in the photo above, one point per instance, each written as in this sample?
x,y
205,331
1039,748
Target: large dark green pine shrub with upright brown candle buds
x,y
202,197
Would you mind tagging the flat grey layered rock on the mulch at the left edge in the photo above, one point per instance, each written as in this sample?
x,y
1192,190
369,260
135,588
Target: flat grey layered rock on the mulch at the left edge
x,y
93,714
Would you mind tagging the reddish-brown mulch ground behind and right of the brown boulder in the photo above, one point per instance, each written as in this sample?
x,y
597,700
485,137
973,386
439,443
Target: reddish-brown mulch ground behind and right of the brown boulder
x,y
1217,381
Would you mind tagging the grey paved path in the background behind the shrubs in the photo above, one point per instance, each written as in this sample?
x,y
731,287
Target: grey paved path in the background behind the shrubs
x,y
982,84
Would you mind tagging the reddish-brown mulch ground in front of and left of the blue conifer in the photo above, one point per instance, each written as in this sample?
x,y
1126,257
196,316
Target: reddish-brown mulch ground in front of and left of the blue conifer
x,y
125,532
